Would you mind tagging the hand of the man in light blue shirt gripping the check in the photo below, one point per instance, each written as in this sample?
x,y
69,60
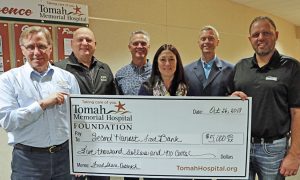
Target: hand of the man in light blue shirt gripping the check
x,y
54,99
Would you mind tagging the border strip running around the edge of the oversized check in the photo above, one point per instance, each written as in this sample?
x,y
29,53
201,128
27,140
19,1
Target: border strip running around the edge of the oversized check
x,y
145,98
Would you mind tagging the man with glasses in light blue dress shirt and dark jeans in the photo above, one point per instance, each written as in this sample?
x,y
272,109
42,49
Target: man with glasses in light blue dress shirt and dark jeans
x,y
34,113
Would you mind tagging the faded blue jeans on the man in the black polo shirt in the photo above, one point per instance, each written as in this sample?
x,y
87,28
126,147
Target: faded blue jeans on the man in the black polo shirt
x,y
266,158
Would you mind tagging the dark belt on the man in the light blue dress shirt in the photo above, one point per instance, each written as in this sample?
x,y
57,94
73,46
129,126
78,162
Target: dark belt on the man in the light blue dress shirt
x,y
50,149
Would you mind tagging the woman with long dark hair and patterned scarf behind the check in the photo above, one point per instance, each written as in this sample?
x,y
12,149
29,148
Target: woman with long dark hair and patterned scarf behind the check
x,y
167,78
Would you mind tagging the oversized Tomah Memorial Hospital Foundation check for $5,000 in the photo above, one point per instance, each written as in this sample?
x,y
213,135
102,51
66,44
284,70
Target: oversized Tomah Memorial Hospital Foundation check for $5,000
x,y
160,137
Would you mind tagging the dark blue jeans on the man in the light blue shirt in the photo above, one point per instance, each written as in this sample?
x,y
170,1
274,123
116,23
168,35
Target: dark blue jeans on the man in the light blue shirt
x,y
27,165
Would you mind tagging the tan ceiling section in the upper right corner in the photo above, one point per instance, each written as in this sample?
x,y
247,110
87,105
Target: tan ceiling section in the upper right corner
x,y
285,9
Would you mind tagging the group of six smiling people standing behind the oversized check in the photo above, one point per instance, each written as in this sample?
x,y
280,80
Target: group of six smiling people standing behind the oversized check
x,y
33,109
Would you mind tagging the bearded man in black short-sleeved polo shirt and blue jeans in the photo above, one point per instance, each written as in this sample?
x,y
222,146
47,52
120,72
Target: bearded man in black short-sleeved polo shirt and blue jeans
x,y
273,81
